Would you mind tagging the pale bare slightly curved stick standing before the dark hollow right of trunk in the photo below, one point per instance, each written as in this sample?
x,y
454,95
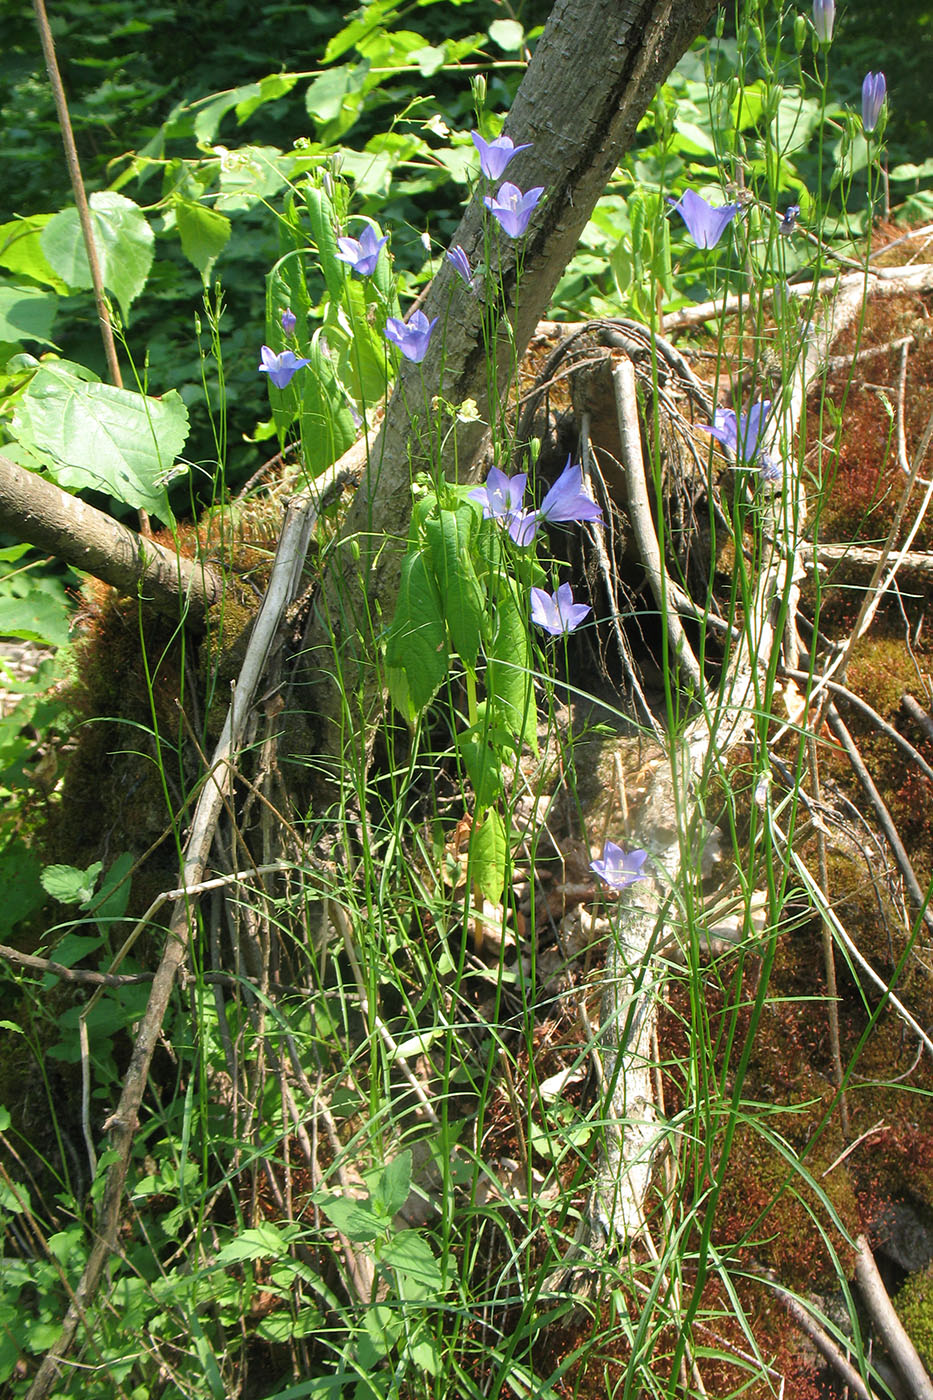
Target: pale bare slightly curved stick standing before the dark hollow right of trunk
x,y
627,408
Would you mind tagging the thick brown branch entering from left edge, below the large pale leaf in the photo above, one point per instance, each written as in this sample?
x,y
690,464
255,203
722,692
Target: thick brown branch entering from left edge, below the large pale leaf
x,y
40,513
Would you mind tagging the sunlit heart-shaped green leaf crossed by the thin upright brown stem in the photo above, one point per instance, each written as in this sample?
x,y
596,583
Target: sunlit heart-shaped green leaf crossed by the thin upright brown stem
x,y
124,243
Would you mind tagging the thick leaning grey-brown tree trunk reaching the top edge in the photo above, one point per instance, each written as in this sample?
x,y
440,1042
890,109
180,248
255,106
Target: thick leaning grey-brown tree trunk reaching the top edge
x,y
595,73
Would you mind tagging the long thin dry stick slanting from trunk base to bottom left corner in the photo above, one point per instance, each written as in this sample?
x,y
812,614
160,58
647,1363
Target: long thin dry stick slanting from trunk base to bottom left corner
x,y
123,1125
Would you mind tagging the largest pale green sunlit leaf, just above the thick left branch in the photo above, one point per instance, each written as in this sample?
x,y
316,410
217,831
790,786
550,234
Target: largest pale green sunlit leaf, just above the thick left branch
x,y
102,439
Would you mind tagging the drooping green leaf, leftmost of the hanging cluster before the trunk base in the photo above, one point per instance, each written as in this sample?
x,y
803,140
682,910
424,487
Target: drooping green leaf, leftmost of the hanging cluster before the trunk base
x,y
417,642
